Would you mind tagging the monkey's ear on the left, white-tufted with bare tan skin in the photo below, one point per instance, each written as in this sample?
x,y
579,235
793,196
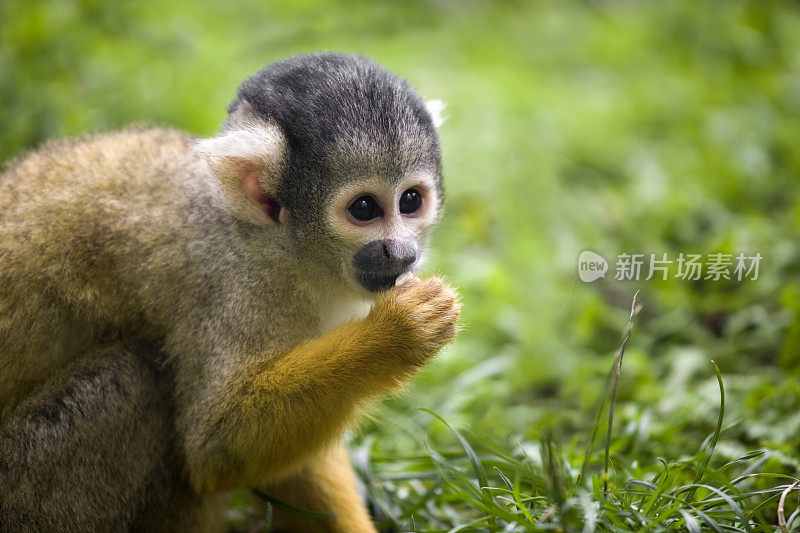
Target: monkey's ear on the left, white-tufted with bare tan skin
x,y
248,161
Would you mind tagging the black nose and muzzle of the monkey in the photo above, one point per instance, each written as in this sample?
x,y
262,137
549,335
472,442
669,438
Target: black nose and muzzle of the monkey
x,y
378,263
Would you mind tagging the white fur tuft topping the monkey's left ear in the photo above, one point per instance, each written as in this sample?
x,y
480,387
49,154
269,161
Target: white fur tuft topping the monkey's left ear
x,y
261,143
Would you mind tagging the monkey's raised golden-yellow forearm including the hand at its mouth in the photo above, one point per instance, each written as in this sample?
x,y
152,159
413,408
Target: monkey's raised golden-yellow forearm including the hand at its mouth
x,y
268,420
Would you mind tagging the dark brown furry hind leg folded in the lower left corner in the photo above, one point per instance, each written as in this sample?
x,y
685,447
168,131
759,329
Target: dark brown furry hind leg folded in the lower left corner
x,y
87,450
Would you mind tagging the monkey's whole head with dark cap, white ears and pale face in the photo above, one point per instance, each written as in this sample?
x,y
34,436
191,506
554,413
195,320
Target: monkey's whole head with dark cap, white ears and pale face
x,y
338,157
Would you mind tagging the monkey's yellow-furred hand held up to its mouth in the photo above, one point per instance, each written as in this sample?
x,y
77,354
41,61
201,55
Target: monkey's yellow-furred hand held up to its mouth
x,y
418,317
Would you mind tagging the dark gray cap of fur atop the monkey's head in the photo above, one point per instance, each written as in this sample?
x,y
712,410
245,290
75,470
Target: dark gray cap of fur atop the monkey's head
x,y
341,114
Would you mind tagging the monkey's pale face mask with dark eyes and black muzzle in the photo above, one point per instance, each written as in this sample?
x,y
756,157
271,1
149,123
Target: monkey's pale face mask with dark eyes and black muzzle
x,y
382,227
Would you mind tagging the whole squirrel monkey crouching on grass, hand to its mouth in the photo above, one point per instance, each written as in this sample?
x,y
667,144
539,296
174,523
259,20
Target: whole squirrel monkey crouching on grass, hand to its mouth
x,y
184,317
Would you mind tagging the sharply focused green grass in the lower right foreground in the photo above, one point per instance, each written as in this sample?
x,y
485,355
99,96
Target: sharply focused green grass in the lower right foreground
x,y
492,487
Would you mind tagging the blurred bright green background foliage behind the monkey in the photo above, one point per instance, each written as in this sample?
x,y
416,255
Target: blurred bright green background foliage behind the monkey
x,y
650,127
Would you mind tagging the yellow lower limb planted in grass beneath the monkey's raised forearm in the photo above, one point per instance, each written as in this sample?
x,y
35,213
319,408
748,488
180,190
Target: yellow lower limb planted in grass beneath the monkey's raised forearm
x,y
326,484
